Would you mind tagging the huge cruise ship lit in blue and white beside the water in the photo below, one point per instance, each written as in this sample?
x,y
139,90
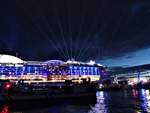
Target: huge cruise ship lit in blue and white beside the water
x,y
53,70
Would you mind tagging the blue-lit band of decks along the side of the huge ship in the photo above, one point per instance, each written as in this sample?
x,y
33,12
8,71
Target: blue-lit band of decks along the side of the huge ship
x,y
44,71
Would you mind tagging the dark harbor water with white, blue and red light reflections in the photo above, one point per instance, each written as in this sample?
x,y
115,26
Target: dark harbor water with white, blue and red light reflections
x,y
126,101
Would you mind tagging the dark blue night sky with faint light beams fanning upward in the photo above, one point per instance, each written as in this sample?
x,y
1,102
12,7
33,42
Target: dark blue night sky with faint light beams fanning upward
x,y
112,32
